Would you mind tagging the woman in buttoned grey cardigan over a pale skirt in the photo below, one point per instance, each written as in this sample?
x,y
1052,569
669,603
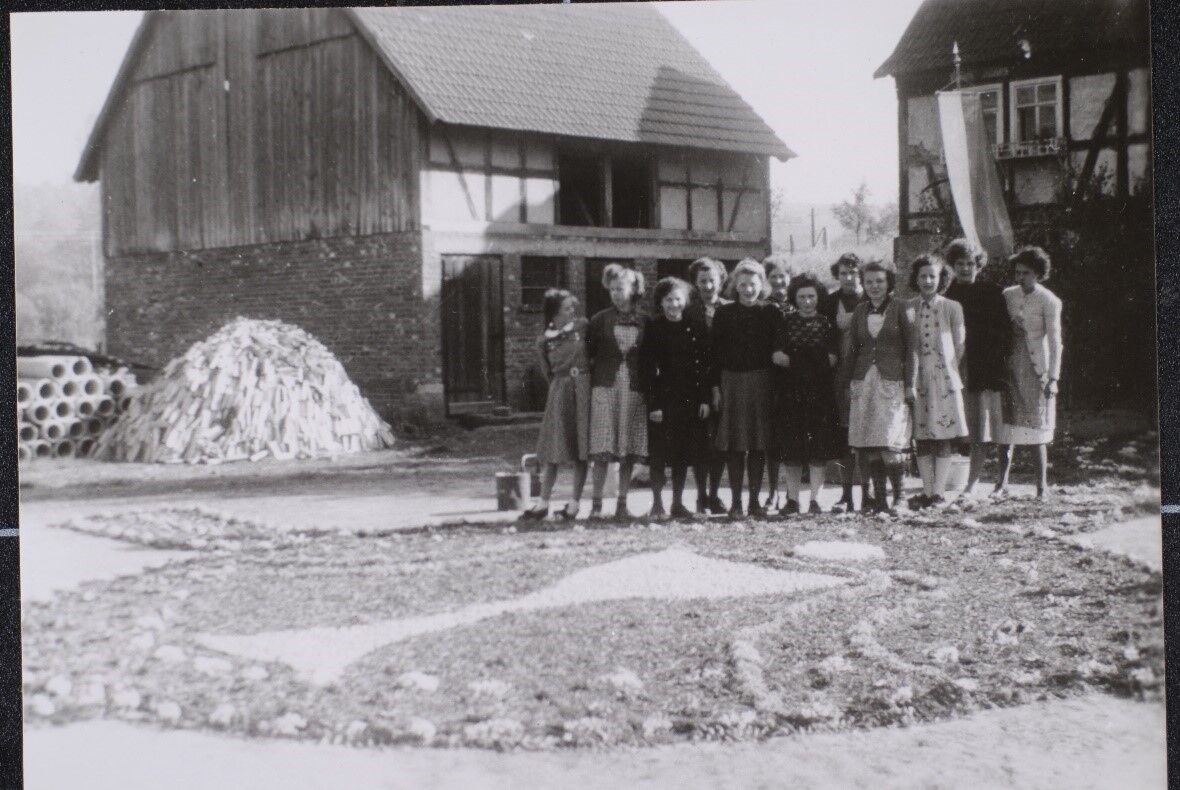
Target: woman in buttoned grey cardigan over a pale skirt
x,y
881,368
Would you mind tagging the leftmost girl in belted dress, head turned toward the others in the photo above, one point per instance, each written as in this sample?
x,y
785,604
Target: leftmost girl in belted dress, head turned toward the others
x,y
566,428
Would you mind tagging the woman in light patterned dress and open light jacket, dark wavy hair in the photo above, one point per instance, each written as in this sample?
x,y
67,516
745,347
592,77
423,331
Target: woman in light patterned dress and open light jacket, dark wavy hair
x,y
940,416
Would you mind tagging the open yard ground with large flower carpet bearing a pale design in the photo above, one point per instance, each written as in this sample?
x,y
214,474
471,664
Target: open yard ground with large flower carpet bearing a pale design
x,y
381,603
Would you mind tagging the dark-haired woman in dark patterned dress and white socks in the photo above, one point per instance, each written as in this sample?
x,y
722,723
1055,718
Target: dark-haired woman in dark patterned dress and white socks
x,y
808,423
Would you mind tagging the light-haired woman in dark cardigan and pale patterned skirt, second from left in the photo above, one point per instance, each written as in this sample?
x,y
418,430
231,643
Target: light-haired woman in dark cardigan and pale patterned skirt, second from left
x,y
619,417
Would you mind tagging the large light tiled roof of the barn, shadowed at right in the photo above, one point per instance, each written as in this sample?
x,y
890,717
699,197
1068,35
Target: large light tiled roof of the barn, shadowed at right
x,y
614,71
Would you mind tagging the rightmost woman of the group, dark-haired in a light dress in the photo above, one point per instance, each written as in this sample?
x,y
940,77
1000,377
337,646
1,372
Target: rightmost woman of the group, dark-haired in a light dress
x,y
1034,365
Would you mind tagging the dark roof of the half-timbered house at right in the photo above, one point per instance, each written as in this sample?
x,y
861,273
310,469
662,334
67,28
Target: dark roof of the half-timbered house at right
x,y
991,31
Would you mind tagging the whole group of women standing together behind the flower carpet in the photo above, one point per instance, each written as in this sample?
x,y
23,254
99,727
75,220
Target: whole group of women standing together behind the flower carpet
x,y
785,374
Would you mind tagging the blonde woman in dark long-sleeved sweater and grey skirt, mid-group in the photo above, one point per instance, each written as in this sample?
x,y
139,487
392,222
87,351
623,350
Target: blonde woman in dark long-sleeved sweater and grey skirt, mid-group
x,y
742,344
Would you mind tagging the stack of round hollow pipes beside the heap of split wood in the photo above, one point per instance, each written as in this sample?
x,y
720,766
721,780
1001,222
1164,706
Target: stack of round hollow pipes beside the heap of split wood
x,y
64,404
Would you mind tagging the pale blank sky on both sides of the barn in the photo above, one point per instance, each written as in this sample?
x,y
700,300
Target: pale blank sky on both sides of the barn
x,y
807,67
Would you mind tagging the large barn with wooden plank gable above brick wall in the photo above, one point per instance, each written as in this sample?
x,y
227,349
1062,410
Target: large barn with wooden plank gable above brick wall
x,y
405,184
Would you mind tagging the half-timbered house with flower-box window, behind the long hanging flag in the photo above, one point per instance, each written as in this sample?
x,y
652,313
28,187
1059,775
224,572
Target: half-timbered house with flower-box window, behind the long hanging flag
x,y
1066,94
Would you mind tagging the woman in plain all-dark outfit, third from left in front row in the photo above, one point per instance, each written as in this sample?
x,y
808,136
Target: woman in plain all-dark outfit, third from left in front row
x,y
674,369
